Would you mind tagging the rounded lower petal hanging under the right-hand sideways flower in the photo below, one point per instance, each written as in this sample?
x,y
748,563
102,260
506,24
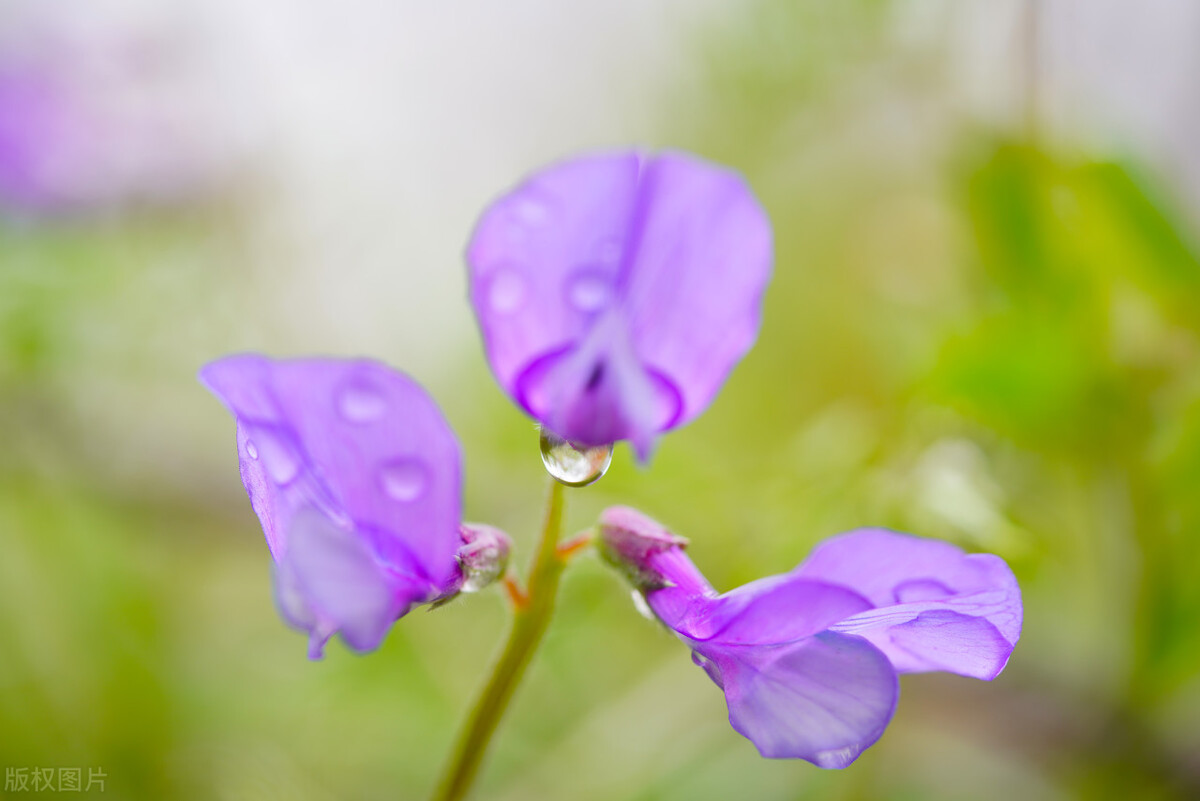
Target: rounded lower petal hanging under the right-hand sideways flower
x,y
825,700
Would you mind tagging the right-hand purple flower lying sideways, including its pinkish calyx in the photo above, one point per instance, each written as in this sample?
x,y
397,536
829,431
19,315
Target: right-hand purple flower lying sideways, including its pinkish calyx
x,y
809,660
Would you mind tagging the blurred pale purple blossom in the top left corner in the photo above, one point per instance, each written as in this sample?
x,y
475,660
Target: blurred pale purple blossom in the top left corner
x,y
104,112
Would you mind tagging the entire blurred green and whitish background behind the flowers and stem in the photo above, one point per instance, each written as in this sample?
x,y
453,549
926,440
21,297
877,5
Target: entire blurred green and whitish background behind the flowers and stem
x,y
985,327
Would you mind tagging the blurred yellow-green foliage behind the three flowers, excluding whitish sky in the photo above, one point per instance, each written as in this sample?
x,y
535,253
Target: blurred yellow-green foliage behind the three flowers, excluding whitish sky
x,y
974,335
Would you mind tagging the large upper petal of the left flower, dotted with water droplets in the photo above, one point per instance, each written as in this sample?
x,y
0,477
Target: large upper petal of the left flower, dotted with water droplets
x,y
356,441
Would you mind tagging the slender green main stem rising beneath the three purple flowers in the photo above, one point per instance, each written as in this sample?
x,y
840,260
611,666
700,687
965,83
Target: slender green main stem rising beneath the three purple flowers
x,y
529,627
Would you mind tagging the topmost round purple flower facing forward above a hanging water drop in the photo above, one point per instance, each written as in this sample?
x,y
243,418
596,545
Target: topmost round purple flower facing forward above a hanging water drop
x,y
616,292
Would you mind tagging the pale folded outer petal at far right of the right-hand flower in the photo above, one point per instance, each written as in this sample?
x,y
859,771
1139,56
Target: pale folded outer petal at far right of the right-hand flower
x,y
938,607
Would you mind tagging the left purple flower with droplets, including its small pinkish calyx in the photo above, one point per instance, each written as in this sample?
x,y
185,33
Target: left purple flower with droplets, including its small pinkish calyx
x,y
356,478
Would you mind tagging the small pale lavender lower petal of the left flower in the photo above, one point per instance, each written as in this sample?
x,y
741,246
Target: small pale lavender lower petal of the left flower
x,y
329,582
